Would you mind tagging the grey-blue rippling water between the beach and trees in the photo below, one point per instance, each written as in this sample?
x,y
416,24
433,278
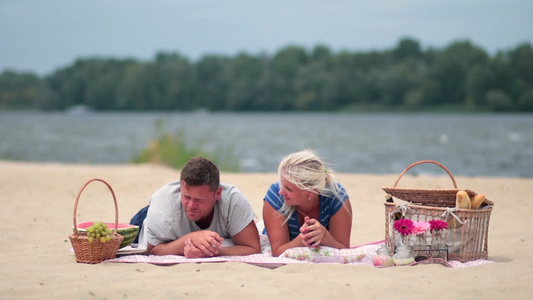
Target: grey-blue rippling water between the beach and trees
x,y
471,145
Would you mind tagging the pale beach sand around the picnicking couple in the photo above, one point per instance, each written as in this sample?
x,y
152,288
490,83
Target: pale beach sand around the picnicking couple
x,y
37,201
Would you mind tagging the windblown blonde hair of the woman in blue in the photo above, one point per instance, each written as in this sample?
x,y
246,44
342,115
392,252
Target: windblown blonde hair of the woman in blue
x,y
309,173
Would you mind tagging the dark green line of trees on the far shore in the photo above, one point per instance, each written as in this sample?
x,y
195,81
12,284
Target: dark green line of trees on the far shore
x,y
461,76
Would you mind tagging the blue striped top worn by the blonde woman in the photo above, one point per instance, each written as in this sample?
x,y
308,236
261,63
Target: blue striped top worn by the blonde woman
x,y
329,206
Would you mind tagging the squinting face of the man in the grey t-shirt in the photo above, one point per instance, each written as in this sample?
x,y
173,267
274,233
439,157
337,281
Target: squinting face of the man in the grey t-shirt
x,y
198,201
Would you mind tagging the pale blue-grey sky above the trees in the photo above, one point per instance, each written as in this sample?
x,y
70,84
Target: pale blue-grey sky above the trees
x,y
42,36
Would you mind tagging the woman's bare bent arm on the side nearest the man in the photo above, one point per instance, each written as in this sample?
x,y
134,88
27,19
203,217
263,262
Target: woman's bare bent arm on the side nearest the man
x,y
278,231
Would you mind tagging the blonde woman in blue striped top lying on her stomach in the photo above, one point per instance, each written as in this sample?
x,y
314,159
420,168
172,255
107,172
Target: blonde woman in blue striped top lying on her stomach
x,y
306,207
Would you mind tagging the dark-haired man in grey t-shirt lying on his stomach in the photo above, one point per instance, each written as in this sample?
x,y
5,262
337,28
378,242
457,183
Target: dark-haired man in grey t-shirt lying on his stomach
x,y
194,216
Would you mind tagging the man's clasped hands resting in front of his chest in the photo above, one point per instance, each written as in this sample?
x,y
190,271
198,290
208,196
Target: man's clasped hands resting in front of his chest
x,y
203,243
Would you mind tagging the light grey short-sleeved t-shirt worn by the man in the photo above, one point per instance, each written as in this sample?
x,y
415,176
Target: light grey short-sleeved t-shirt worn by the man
x,y
167,221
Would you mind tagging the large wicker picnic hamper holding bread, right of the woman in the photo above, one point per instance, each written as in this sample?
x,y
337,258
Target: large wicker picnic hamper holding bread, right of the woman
x,y
469,242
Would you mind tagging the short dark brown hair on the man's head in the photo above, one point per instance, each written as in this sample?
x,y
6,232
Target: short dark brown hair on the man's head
x,y
201,171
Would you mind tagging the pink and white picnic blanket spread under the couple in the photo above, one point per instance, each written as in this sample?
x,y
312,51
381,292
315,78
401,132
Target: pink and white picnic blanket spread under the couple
x,y
358,255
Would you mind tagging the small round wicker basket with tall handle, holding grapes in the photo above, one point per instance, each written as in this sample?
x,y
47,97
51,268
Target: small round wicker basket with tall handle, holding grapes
x,y
95,252
